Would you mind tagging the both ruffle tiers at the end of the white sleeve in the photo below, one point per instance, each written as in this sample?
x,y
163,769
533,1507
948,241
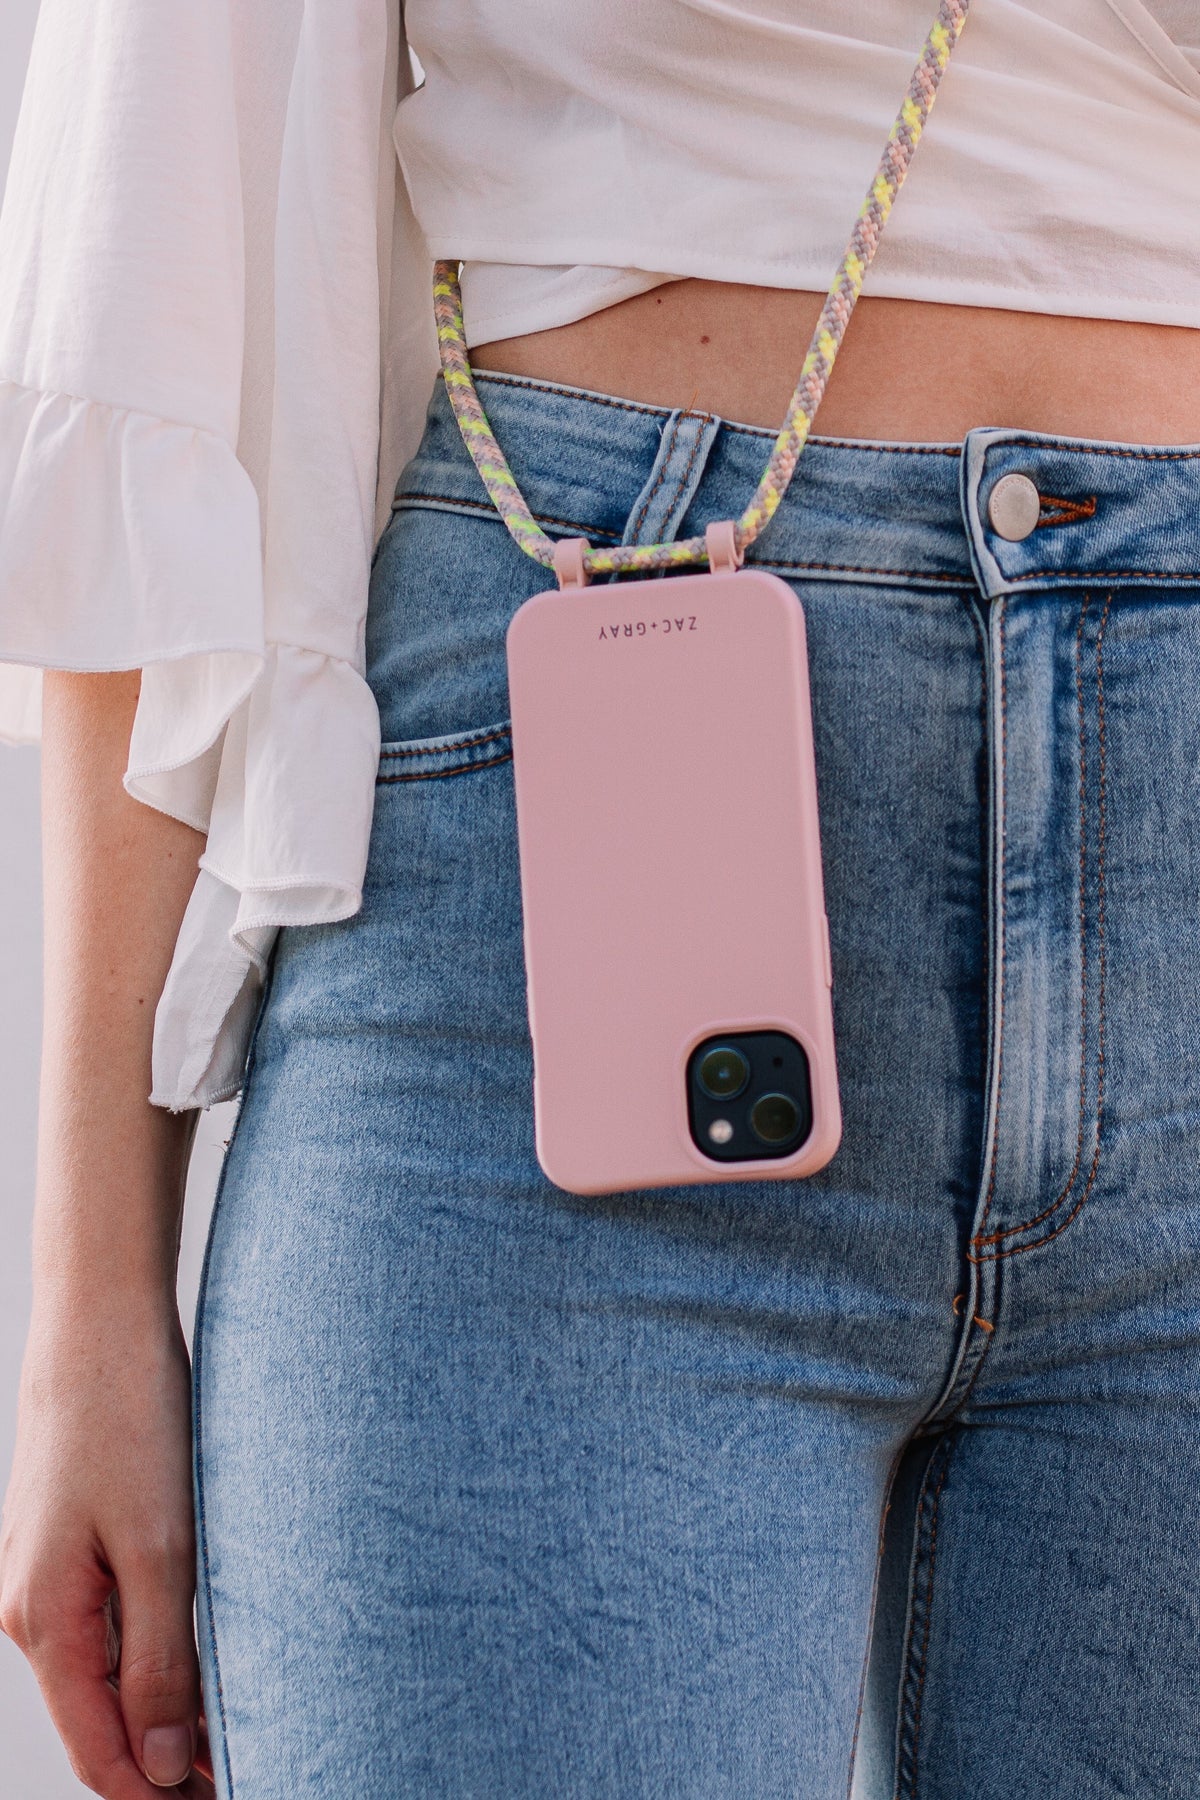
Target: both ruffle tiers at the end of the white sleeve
x,y
136,543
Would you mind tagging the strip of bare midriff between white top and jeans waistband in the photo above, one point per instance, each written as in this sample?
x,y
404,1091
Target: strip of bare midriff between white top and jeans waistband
x,y
911,372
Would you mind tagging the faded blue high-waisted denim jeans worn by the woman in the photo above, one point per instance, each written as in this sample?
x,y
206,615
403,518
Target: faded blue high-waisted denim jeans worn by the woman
x,y
728,1493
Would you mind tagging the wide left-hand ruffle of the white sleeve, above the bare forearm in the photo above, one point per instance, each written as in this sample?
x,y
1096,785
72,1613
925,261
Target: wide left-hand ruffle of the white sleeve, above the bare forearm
x,y
125,541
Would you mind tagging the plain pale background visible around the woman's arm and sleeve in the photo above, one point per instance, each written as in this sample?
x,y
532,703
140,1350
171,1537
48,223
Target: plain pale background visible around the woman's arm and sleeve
x,y
31,1759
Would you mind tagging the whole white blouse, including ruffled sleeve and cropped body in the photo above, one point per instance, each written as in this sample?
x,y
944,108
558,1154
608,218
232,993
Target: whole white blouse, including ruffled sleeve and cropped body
x,y
217,336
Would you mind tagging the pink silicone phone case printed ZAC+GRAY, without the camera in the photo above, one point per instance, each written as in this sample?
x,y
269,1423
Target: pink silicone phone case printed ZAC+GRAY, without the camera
x,y
670,863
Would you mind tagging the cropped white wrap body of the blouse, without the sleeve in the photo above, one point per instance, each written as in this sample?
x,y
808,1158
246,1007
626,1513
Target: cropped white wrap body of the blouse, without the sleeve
x,y
681,138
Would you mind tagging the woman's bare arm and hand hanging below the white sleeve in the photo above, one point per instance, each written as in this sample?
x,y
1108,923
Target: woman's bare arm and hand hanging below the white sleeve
x,y
98,1531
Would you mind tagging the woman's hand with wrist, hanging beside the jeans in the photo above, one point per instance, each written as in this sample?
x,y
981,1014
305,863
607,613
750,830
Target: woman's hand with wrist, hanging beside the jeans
x,y
98,1547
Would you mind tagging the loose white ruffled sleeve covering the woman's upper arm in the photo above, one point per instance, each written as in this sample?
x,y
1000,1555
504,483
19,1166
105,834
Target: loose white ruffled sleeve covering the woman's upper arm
x,y
215,355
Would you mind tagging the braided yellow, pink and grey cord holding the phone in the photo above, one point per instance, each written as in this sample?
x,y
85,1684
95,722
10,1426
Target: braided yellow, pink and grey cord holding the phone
x,y
726,543
